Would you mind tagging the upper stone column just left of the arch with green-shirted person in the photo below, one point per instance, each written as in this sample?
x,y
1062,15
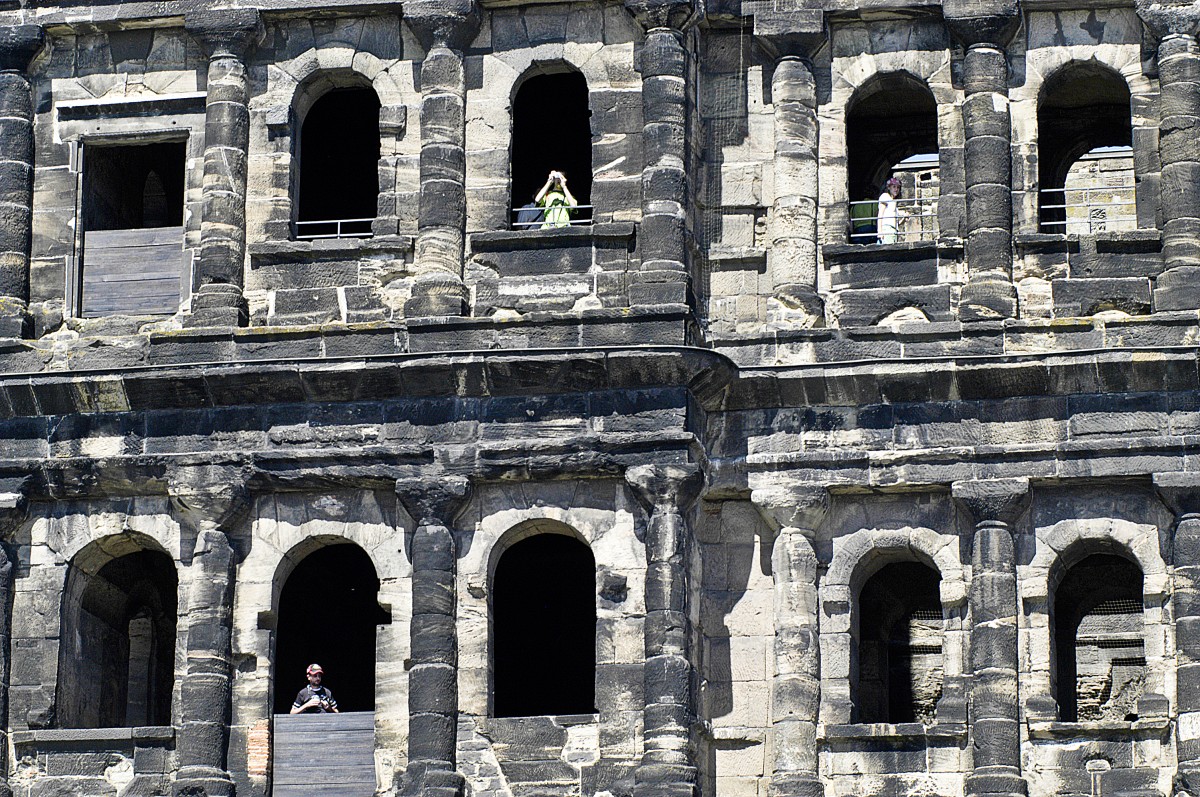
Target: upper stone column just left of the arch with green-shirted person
x,y
445,31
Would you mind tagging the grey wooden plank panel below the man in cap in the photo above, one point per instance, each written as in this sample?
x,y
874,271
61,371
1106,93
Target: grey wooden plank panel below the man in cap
x,y
326,756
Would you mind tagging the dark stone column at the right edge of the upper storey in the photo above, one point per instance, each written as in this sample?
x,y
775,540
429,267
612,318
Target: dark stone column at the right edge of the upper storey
x,y
1179,76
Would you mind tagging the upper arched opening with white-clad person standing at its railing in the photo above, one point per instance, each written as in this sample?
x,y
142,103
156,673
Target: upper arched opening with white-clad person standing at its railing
x,y
892,133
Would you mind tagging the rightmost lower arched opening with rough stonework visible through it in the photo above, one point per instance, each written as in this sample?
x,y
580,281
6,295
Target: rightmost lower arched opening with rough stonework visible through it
x,y
1100,660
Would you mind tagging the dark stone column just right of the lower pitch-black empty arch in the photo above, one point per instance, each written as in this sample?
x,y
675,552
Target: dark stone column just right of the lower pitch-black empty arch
x,y
668,768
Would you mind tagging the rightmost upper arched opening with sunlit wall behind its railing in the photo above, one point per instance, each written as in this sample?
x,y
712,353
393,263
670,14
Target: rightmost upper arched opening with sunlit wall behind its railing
x,y
1085,157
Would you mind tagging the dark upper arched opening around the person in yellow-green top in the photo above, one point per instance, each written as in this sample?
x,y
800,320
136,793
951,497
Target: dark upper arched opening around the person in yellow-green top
x,y
551,133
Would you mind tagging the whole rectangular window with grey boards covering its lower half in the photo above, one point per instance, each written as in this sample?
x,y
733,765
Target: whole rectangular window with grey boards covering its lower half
x,y
133,230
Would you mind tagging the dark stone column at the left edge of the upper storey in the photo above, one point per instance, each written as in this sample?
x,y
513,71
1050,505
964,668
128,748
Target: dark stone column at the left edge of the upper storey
x,y
19,45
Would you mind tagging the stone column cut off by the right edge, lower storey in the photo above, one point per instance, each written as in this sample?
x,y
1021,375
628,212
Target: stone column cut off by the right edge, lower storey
x,y
1181,494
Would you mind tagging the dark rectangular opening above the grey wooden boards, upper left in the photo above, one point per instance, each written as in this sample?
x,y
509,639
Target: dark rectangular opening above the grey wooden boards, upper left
x,y
134,188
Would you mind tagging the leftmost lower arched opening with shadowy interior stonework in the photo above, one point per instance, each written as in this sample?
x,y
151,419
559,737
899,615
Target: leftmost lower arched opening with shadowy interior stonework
x,y
118,650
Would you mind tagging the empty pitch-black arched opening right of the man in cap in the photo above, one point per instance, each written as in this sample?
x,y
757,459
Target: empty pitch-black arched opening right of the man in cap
x,y
544,628
